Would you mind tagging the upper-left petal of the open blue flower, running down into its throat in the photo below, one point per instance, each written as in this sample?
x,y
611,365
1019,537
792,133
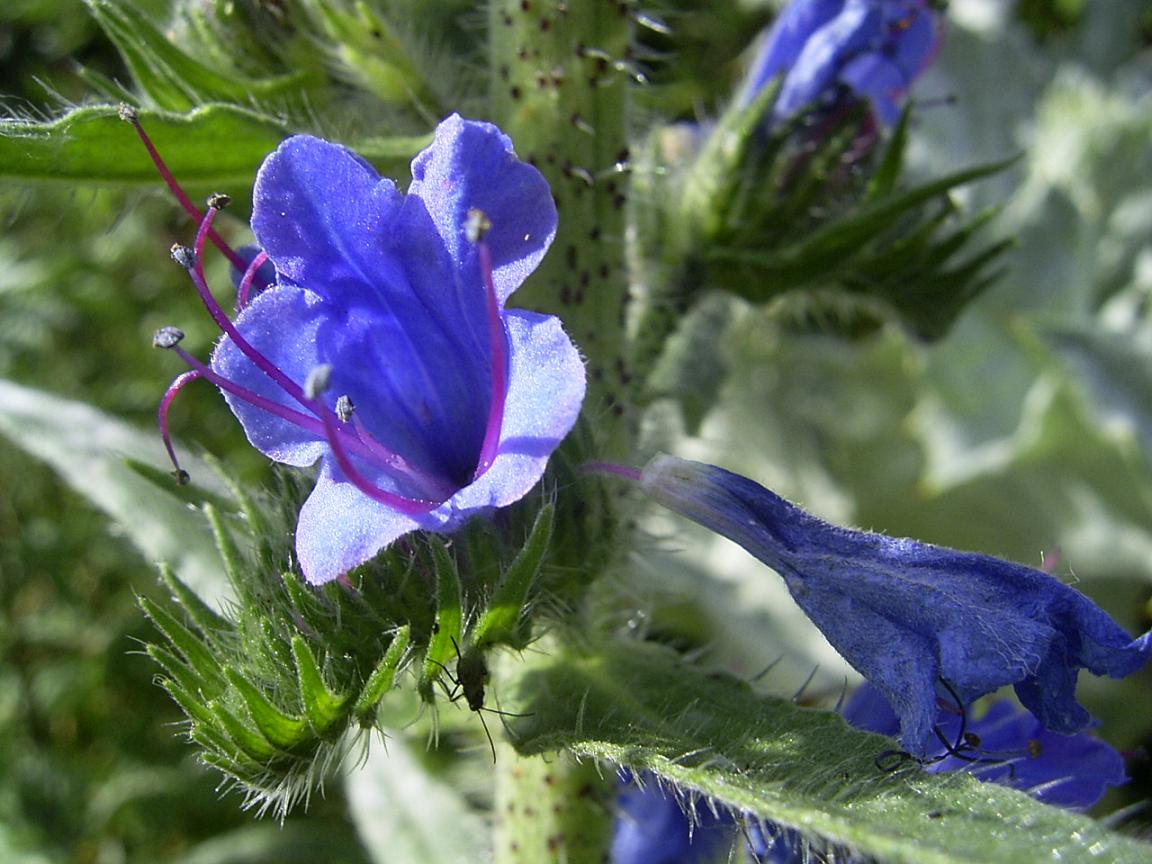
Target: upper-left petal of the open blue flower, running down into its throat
x,y
412,323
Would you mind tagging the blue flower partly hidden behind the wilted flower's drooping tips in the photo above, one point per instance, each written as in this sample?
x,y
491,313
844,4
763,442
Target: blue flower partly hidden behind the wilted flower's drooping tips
x,y
1011,748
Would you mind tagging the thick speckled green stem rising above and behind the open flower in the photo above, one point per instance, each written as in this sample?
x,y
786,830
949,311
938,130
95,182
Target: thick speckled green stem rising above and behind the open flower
x,y
560,78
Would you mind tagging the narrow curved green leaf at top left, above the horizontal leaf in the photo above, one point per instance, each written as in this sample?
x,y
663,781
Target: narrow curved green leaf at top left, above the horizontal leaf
x,y
173,80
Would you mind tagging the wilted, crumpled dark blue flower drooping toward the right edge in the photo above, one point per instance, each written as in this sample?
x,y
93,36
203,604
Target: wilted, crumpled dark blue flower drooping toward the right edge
x,y
910,616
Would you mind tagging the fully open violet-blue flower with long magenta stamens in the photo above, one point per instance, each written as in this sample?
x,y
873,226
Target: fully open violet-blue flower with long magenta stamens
x,y
384,350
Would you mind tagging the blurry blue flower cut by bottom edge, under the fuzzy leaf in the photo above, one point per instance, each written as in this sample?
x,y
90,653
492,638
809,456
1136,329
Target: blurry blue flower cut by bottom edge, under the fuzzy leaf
x,y
653,828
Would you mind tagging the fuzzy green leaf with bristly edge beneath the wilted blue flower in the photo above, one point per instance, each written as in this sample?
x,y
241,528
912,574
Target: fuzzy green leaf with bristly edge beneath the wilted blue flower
x,y
641,708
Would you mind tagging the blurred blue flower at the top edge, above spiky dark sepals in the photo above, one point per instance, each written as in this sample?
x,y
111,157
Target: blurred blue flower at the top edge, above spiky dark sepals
x,y
828,49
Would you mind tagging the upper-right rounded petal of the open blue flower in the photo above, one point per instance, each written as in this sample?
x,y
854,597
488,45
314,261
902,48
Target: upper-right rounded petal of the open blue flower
x,y
473,166
